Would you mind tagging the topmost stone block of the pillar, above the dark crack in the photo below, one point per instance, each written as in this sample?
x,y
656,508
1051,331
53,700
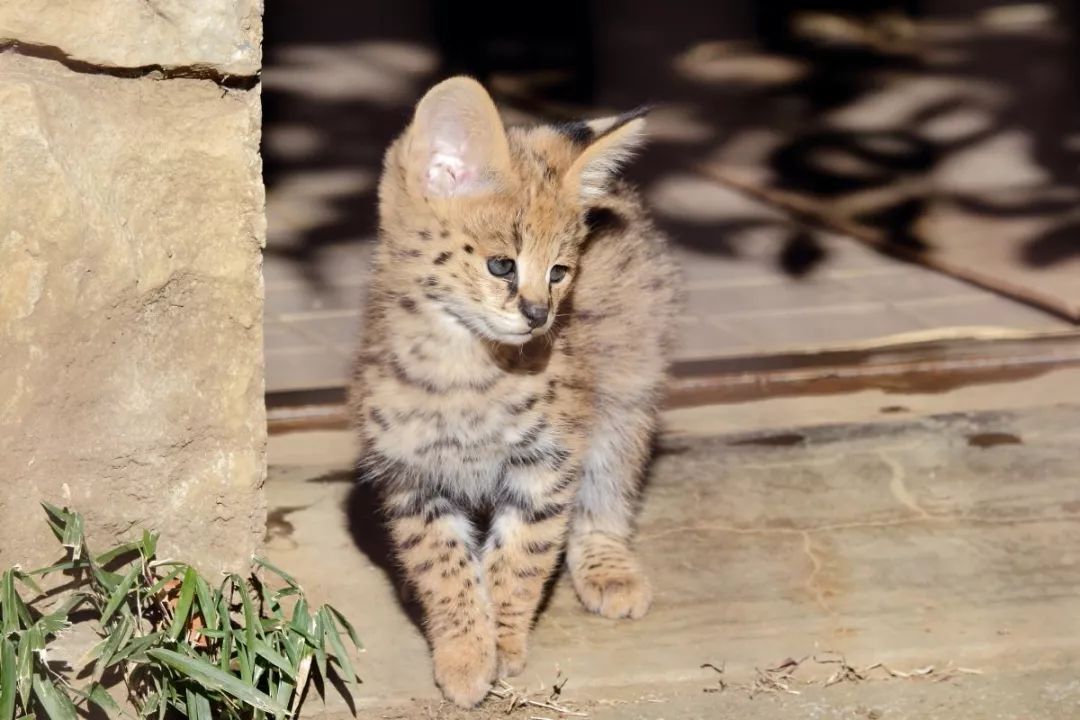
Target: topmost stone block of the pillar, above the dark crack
x,y
224,36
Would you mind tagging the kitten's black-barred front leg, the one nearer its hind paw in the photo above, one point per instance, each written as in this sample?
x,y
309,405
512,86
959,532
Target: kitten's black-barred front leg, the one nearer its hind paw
x,y
522,552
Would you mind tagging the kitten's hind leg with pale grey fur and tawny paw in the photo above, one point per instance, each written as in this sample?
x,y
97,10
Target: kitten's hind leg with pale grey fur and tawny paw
x,y
606,574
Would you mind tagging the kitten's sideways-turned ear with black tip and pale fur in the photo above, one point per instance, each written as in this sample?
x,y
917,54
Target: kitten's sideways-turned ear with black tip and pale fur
x,y
612,142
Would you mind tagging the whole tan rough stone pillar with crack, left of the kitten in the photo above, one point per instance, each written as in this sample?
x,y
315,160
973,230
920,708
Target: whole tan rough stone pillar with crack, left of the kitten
x,y
131,289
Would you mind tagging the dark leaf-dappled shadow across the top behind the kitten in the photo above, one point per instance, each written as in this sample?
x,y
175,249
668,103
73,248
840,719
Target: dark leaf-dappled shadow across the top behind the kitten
x,y
883,117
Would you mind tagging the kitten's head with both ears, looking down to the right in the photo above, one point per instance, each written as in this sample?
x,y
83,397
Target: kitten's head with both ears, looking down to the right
x,y
502,218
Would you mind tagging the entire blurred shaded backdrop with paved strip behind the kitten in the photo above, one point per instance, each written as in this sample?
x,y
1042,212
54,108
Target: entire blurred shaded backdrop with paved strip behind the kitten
x,y
832,173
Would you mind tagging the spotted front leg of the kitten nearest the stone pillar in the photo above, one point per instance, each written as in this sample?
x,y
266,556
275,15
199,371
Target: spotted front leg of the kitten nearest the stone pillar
x,y
435,544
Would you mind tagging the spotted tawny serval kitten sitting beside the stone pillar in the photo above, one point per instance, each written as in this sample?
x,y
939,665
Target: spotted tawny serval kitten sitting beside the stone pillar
x,y
514,359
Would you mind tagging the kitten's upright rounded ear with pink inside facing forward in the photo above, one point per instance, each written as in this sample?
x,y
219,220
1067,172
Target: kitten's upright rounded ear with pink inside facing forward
x,y
457,145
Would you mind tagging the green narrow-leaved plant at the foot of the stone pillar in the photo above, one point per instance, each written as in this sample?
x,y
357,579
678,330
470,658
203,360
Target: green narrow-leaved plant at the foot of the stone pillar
x,y
178,645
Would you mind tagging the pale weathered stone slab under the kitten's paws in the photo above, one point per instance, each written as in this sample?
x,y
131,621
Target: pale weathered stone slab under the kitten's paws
x,y
946,536
